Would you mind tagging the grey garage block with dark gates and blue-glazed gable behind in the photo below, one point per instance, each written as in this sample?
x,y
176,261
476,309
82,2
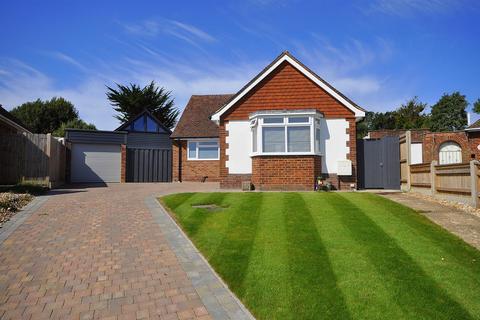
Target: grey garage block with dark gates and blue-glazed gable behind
x,y
137,151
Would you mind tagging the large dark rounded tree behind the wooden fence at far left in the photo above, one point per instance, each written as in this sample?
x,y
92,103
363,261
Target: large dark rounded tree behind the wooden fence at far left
x,y
45,116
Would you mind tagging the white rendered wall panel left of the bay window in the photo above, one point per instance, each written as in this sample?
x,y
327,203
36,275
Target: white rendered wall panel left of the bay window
x,y
239,139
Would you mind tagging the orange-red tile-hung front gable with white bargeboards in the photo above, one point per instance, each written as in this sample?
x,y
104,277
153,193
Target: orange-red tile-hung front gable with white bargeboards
x,y
288,84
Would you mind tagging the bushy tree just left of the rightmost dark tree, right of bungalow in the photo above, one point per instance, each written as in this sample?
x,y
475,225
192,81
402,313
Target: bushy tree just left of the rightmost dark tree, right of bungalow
x,y
410,115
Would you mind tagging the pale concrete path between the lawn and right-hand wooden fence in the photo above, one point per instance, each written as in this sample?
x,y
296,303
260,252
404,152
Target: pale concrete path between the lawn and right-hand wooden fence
x,y
464,225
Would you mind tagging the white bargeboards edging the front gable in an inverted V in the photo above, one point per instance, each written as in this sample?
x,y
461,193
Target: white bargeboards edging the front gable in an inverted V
x,y
286,56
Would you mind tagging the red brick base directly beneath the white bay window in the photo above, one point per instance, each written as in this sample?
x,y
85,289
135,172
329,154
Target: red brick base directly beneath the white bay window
x,y
285,172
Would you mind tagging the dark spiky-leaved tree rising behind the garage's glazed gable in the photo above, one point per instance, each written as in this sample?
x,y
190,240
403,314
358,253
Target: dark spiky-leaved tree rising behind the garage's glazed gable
x,y
129,101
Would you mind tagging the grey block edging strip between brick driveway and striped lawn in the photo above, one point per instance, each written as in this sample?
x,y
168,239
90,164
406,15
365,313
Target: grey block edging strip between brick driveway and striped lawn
x,y
219,300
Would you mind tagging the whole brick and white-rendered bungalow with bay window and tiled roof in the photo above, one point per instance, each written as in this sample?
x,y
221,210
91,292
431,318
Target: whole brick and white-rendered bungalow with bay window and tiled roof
x,y
282,130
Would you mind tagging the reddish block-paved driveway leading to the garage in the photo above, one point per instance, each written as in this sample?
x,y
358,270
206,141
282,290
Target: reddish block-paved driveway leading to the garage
x,y
96,253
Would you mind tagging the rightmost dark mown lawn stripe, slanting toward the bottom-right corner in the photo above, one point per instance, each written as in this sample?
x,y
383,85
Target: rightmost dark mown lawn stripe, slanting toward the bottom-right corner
x,y
416,293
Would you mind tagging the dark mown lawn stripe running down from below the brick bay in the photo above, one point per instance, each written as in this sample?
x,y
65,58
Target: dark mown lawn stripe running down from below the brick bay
x,y
314,284
